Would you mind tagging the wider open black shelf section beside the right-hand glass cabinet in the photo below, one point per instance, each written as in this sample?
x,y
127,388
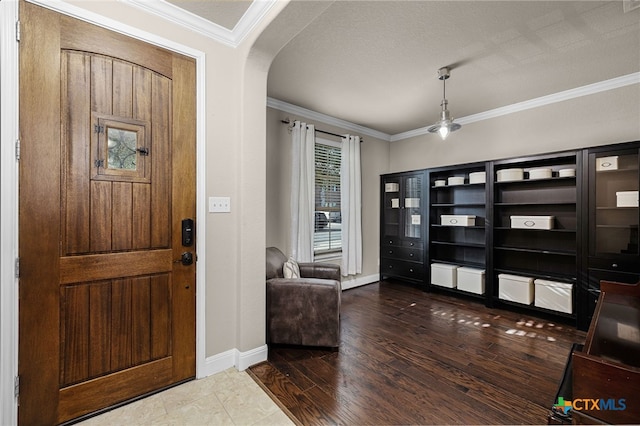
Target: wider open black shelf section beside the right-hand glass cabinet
x,y
548,254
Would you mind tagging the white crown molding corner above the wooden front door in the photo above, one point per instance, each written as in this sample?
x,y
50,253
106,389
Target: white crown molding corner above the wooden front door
x,y
254,14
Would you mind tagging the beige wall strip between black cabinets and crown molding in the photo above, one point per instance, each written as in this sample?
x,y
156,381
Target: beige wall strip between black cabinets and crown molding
x,y
598,119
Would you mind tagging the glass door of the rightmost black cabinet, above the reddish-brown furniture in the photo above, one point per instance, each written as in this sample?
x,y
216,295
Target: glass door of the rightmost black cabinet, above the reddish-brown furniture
x,y
616,205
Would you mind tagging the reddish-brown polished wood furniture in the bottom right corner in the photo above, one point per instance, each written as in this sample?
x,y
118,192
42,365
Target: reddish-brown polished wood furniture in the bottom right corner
x,y
608,368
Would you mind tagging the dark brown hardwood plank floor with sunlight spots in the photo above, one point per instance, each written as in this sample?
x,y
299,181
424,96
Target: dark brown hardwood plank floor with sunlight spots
x,y
410,357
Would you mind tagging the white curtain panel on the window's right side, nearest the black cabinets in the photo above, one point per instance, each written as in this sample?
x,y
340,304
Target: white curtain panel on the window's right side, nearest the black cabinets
x,y
351,206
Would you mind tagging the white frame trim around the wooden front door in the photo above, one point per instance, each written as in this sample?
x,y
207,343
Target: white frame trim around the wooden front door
x,y
9,131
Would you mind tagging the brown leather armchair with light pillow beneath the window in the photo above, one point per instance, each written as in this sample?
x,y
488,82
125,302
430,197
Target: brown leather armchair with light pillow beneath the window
x,y
306,310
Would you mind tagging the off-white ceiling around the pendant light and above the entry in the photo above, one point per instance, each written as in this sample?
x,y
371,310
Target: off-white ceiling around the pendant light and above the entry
x,y
374,63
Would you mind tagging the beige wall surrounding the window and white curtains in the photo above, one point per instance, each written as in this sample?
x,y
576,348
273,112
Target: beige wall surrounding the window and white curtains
x,y
374,155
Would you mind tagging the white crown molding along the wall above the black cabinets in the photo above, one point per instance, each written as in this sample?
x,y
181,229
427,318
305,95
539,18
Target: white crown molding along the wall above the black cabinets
x,y
589,89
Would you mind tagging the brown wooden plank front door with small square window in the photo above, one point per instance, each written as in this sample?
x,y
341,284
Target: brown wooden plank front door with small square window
x,y
107,173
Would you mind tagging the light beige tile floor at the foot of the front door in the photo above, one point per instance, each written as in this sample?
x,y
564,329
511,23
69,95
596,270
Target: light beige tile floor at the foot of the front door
x,y
228,398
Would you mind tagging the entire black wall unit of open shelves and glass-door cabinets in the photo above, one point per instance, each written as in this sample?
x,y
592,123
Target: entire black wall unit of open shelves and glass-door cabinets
x,y
594,238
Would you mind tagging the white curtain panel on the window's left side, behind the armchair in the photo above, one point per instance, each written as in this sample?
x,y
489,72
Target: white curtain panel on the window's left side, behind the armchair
x,y
302,191
